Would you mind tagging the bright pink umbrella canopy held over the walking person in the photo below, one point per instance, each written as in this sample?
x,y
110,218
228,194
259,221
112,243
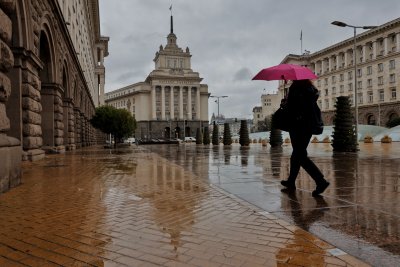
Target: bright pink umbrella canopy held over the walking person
x,y
285,72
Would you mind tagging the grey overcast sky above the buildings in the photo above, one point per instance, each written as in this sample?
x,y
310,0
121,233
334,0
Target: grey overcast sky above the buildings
x,y
230,40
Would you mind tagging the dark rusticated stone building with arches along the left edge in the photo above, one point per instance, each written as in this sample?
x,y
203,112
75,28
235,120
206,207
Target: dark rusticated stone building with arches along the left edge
x,y
47,94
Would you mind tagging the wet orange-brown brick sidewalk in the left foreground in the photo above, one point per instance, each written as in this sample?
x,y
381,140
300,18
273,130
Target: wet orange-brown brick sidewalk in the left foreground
x,y
135,208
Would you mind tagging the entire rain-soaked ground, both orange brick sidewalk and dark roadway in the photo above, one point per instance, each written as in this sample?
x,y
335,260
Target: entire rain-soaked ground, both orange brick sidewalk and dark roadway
x,y
192,205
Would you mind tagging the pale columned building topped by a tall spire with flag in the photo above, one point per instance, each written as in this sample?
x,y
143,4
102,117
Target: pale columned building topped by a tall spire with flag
x,y
171,102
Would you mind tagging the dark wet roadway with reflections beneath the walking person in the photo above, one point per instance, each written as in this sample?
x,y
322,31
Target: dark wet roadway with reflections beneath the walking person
x,y
359,212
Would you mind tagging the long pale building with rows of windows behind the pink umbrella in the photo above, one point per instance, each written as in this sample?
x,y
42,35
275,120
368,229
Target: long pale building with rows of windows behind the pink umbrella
x,y
378,77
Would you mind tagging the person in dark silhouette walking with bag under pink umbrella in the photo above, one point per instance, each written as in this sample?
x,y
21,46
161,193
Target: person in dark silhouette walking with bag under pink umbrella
x,y
300,103
